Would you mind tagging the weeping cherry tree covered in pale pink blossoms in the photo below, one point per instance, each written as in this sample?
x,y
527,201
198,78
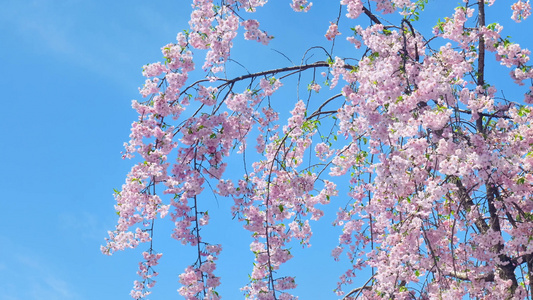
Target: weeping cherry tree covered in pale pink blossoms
x,y
438,162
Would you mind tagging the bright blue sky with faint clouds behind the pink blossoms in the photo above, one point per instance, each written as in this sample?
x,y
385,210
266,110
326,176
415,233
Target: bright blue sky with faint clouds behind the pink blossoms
x,y
70,69
